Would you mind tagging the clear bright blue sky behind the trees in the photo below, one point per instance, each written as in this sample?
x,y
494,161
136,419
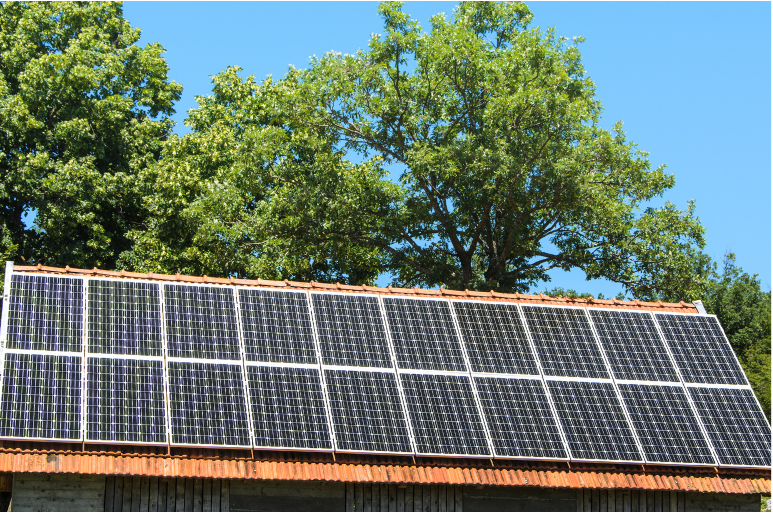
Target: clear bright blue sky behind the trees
x,y
690,80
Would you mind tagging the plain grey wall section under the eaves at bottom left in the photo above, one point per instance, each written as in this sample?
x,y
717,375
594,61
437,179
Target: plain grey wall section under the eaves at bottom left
x,y
33,492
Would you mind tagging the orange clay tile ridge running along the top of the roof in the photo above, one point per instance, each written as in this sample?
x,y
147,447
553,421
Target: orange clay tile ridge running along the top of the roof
x,y
442,292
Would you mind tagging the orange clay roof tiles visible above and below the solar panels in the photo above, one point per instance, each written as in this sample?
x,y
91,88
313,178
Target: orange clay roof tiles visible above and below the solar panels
x,y
90,459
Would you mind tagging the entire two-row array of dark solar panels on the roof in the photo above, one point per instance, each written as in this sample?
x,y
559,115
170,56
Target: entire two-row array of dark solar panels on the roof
x,y
123,361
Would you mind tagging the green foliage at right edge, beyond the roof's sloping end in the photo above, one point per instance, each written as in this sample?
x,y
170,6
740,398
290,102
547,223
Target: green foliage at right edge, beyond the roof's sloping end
x,y
743,309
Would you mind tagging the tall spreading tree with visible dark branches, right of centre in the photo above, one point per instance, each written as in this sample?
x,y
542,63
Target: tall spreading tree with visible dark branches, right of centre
x,y
506,173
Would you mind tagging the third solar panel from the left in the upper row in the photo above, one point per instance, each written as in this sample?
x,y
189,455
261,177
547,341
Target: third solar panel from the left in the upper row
x,y
201,322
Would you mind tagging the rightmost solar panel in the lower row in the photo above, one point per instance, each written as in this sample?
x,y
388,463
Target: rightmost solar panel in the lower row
x,y
736,426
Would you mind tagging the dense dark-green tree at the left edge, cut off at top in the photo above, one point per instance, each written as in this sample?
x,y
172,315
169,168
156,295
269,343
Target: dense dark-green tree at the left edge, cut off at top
x,y
83,112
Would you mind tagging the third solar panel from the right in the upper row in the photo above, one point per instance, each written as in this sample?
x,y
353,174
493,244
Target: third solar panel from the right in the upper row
x,y
564,341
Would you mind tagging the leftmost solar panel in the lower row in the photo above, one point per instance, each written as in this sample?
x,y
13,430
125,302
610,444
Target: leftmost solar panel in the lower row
x,y
41,397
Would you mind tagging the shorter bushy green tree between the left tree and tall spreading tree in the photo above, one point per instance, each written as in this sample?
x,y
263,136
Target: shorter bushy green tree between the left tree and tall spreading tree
x,y
247,194
